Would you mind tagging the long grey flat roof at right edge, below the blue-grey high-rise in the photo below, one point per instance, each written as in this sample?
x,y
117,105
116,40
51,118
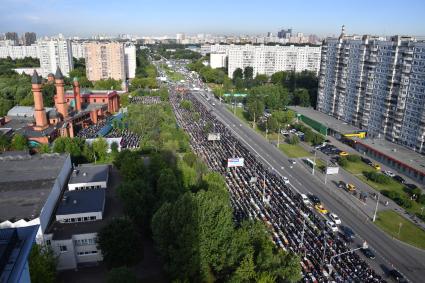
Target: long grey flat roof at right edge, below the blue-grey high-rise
x,y
397,152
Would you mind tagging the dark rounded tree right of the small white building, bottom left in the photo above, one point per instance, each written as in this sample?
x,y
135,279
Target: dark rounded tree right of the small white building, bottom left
x,y
121,243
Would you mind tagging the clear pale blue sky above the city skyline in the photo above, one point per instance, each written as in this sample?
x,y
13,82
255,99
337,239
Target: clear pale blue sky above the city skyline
x,y
160,17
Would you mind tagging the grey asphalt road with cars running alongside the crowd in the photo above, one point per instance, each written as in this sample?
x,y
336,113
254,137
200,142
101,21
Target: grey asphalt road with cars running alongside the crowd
x,y
390,253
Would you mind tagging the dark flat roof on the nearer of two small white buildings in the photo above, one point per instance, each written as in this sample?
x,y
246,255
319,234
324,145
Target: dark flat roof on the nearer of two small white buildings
x,y
82,201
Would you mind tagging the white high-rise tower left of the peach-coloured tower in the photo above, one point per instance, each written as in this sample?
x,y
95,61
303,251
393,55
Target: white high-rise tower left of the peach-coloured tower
x,y
55,53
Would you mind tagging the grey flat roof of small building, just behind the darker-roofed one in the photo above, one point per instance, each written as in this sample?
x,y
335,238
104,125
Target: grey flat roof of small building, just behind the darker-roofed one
x,y
88,173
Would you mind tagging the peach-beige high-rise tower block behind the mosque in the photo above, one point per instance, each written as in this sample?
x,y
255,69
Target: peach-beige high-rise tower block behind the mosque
x,y
105,60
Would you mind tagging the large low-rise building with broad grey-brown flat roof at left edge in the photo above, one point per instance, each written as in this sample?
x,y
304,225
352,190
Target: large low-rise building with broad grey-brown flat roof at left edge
x,y
30,187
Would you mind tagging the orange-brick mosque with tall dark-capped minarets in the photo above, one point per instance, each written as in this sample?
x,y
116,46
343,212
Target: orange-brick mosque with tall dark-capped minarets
x,y
73,110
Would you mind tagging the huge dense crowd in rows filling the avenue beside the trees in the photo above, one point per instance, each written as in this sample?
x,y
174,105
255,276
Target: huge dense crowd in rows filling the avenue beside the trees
x,y
257,192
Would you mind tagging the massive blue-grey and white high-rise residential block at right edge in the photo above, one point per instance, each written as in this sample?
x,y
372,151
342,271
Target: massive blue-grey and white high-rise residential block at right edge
x,y
376,84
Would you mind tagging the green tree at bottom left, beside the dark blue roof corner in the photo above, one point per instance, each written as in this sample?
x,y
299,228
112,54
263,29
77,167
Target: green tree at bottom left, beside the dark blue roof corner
x,y
42,264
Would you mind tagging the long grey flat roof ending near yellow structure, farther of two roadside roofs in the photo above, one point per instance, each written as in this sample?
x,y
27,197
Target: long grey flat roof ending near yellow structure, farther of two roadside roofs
x,y
326,120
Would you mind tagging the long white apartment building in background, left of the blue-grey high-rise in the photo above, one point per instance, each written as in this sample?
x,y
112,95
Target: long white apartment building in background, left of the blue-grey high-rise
x,y
270,59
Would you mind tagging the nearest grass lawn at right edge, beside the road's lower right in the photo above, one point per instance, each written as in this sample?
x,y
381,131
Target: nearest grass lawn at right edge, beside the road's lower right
x,y
389,221
